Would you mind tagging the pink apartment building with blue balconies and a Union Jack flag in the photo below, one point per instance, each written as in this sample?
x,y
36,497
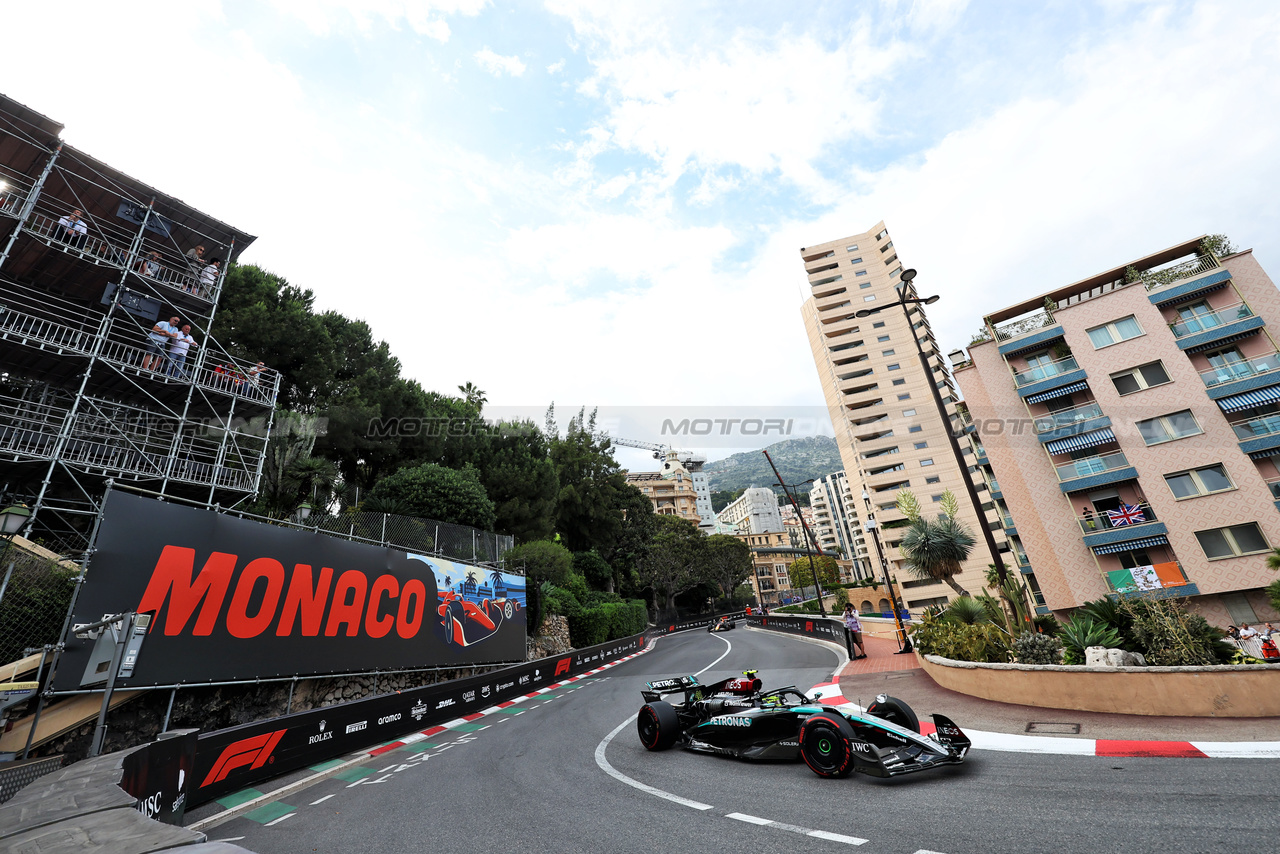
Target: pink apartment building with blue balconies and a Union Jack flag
x,y
1130,432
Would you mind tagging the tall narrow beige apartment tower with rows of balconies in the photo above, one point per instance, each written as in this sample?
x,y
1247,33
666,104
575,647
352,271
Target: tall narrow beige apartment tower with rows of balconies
x,y
890,432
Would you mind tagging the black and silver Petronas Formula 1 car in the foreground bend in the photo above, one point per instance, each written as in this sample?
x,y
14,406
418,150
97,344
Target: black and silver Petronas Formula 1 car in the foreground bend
x,y
735,718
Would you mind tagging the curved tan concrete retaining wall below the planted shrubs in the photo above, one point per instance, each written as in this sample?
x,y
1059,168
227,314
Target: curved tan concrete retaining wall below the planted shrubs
x,y
1244,691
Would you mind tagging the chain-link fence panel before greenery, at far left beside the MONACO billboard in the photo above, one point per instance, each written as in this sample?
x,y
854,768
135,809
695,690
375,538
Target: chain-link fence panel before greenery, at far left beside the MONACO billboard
x,y
35,593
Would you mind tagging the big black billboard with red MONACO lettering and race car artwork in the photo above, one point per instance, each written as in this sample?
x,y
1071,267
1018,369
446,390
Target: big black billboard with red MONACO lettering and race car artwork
x,y
235,600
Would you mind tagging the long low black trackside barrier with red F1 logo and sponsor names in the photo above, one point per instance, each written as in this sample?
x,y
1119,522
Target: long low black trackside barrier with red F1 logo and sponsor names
x,y
231,760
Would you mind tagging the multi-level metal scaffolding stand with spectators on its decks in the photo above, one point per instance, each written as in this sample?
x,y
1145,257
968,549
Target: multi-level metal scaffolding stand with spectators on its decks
x,y
90,262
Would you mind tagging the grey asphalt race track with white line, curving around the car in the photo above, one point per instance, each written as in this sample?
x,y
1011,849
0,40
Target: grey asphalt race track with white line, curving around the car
x,y
545,777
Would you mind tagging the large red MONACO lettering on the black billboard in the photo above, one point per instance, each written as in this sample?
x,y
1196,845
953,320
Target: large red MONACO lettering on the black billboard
x,y
295,604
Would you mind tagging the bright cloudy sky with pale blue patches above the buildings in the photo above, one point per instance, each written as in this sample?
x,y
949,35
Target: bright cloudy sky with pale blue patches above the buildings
x,y
602,203
